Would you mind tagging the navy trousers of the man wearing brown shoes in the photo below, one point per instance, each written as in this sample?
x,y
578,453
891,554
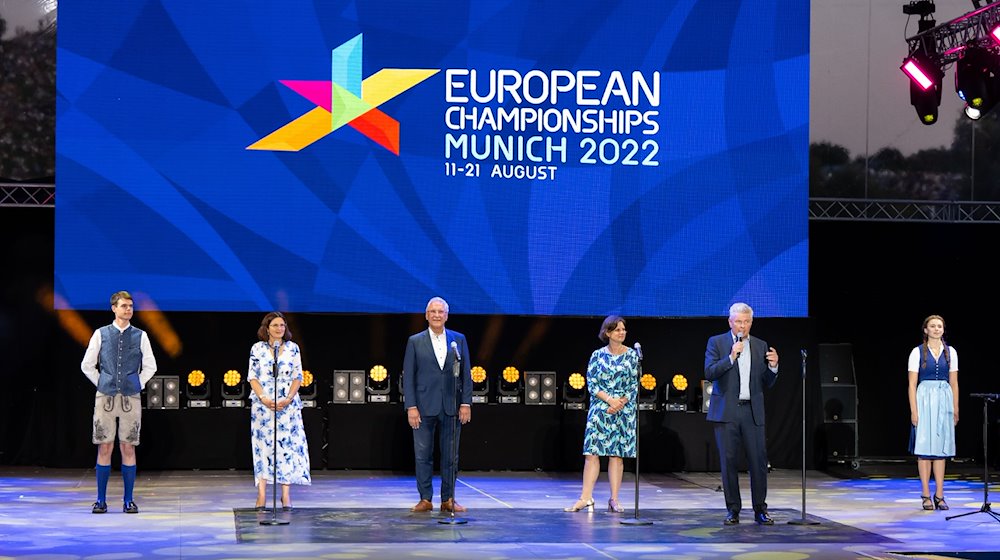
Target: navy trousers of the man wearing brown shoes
x,y
423,454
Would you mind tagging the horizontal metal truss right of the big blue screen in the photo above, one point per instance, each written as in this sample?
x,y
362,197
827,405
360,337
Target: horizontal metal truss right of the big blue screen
x,y
872,210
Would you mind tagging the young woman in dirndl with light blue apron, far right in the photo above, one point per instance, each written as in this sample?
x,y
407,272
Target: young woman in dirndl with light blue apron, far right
x,y
933,392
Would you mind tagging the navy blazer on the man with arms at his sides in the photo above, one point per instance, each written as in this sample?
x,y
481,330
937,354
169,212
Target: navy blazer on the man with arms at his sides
x,y
429,387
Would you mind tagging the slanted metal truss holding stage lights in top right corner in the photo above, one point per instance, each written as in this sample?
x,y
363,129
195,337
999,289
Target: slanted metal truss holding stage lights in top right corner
x,y
949,39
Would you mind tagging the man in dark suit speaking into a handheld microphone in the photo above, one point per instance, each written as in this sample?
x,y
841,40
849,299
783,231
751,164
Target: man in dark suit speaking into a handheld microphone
x,y
740,367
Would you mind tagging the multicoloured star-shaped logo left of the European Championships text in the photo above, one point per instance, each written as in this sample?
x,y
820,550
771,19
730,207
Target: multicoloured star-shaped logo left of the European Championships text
x,y
345,100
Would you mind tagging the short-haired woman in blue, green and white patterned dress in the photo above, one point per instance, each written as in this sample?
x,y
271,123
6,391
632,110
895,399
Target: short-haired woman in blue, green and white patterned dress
x,y
613,383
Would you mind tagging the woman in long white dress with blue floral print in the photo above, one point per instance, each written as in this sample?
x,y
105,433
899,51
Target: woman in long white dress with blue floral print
x,y
293,450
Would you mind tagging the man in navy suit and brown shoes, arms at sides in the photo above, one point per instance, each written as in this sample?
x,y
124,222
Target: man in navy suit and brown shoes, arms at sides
x,y
436,374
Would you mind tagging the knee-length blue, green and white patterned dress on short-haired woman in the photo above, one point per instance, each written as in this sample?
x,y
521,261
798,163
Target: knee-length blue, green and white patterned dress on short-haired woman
x,y
611,435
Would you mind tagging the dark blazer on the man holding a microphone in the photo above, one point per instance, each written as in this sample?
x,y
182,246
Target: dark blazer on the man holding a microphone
x,y
725,378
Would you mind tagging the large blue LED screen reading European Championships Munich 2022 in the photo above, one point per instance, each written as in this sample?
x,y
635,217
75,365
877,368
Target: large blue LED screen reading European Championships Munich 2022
x,y
515,157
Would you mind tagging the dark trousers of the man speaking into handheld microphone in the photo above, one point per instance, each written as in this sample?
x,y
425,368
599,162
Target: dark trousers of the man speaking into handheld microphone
x,y
732,438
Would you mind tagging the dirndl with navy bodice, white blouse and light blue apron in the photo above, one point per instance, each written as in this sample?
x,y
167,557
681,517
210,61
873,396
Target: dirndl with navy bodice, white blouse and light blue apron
x,y
934,435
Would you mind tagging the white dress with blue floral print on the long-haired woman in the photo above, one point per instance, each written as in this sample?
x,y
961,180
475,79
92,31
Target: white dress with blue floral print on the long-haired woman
x,y
293,450
